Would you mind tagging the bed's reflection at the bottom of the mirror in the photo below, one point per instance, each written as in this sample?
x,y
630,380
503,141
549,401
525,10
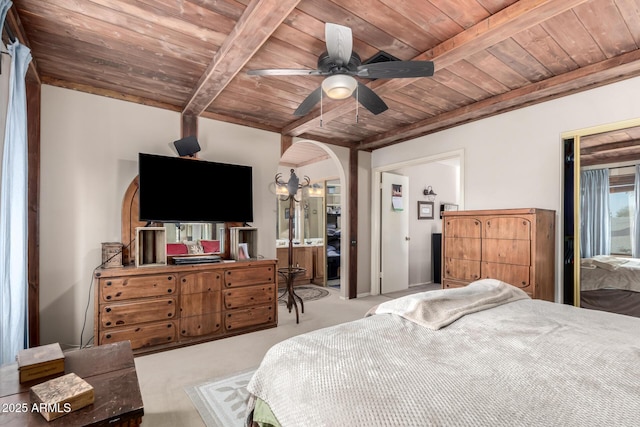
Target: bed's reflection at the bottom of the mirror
x,y
611,284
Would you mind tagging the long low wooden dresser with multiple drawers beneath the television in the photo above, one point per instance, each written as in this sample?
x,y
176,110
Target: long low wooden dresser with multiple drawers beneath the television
x,y
163,307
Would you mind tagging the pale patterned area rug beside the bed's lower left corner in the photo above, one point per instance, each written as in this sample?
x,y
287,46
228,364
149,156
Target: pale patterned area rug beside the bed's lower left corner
x,y
222,402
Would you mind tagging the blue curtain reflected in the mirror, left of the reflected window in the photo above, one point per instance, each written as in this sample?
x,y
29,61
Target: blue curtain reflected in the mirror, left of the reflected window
x,y
595,221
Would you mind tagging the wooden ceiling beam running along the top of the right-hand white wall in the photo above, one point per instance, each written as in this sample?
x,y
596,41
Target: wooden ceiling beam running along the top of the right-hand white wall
x,y
602,73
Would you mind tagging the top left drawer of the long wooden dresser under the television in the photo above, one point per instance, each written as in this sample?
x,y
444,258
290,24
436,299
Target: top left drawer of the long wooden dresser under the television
x,y
123,288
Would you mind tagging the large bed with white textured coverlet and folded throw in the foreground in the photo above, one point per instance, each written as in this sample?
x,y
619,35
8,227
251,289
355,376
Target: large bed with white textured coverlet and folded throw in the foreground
x,y
484,355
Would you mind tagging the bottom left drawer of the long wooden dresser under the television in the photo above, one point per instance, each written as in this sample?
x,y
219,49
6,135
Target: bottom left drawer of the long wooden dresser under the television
x,y
146,335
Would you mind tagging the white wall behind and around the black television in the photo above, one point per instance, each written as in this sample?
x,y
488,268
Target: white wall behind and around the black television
x,y
89,154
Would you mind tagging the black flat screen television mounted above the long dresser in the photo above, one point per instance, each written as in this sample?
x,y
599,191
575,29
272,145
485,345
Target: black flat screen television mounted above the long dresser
x,y
174,189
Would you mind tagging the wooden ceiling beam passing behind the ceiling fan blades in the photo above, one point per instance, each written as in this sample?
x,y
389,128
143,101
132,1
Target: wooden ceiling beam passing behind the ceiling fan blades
x,y
501,26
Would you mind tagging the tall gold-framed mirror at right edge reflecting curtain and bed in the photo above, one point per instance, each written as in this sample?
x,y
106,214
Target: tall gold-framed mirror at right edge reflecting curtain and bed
x,y
602,217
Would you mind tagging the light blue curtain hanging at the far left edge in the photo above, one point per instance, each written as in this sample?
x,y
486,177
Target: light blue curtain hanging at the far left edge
x,y
13,212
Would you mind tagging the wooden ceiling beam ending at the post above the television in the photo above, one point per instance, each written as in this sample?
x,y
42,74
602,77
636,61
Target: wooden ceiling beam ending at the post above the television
x,y
259,20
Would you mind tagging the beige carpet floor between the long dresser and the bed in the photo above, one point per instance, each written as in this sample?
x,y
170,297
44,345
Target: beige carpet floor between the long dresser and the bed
x,y
165,376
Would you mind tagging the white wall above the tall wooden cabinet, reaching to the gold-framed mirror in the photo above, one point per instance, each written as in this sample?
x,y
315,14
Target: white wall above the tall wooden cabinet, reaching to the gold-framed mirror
x,y
514,160
